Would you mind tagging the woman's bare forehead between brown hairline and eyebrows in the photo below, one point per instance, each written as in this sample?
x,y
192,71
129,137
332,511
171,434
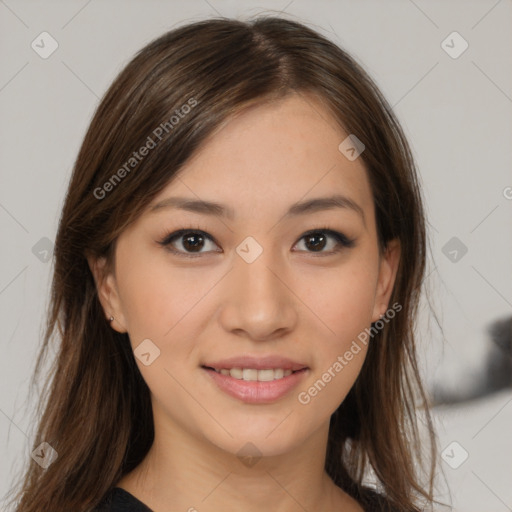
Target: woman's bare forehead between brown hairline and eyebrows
x,y
271,156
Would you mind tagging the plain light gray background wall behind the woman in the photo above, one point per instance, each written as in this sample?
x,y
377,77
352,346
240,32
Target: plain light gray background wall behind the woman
x,y
456,113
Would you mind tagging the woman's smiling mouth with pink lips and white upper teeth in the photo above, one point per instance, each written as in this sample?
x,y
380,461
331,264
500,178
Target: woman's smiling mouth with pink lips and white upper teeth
x,y
256,381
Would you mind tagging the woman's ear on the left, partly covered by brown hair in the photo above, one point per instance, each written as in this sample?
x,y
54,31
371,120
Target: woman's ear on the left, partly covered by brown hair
x,y
108,294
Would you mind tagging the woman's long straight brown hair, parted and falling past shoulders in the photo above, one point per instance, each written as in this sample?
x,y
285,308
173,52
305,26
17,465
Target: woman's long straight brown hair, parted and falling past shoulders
x,y
95,410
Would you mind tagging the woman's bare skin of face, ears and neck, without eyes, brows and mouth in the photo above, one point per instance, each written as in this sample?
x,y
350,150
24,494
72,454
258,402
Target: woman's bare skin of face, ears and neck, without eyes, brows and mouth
x,y
290,301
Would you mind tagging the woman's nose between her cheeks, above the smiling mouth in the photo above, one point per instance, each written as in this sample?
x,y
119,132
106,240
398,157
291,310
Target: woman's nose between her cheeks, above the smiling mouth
x,y
257,301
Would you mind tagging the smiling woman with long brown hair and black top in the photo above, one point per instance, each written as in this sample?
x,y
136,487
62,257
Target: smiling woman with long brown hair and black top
x,y
238,267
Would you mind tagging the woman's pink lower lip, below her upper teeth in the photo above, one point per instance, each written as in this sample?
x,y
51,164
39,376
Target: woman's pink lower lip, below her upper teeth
x,y
256,392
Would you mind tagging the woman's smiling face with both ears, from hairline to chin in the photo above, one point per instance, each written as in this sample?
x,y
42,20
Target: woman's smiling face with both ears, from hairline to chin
x,y
262,286
